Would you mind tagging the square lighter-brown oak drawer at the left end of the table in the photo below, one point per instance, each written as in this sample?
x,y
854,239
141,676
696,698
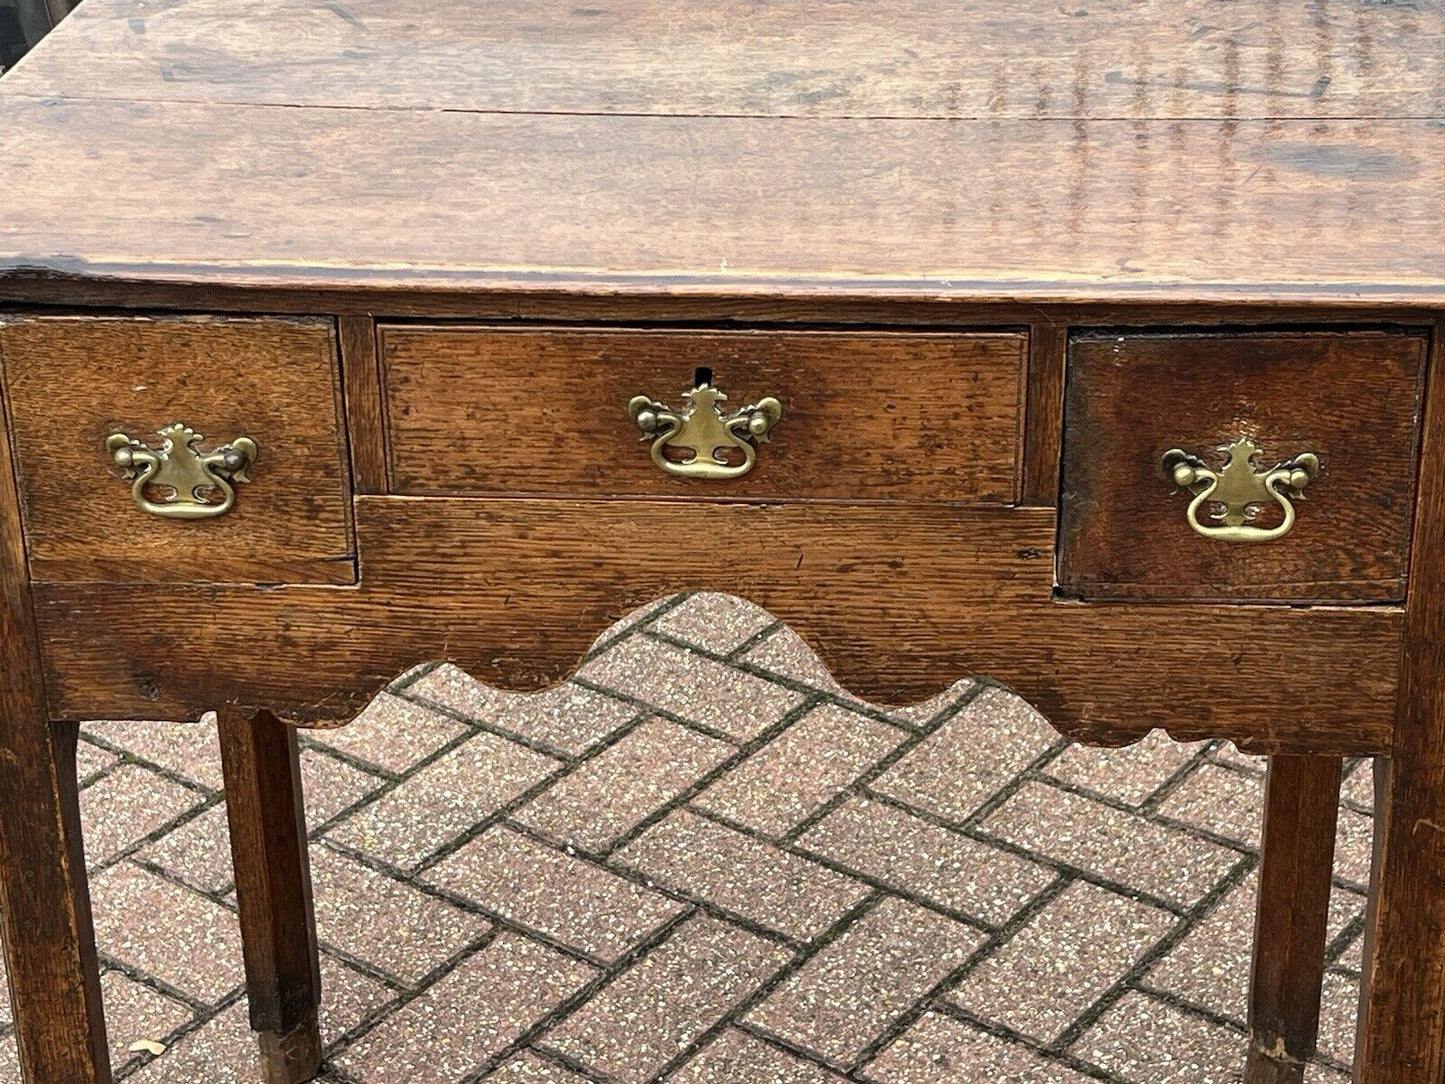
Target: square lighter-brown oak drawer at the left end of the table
x,y
74,384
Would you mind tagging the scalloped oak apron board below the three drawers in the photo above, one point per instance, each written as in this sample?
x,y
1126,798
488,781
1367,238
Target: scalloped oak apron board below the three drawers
x,y
898,601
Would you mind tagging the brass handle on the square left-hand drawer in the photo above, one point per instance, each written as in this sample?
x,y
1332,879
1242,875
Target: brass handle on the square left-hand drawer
x,y
191,475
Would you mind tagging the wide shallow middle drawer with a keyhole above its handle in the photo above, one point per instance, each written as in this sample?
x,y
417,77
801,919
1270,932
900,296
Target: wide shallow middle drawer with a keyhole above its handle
x,y
545,411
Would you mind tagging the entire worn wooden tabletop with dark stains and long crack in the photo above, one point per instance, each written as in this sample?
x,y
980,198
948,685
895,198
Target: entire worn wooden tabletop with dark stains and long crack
x,y
1089,151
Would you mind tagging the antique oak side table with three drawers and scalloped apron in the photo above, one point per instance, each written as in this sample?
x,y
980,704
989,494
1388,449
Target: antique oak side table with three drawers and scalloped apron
x,y
1095,349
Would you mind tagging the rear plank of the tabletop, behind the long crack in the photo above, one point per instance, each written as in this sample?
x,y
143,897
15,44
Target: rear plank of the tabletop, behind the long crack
x,y
826,59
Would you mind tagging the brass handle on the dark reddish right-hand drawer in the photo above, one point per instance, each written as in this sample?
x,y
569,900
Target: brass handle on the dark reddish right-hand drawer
x,y
1241,488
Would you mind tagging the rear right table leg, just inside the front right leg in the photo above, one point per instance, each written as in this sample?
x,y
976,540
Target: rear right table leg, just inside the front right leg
x,y
1301,810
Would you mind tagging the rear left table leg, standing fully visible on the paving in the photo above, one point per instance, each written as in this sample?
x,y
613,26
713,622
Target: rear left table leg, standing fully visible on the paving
x,y
274,892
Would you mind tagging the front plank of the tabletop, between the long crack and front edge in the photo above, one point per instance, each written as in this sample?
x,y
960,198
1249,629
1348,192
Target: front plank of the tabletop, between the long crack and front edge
x,y
1245,212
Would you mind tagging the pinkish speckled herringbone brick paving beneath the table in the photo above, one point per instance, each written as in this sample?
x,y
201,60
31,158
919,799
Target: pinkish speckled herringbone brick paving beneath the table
x,y
703,862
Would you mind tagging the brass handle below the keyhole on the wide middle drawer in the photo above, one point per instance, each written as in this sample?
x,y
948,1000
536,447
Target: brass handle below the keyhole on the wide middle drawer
x,y
702,431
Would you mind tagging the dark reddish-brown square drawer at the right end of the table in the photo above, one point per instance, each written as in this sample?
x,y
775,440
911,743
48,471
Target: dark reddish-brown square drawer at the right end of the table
x,y
1334,411
